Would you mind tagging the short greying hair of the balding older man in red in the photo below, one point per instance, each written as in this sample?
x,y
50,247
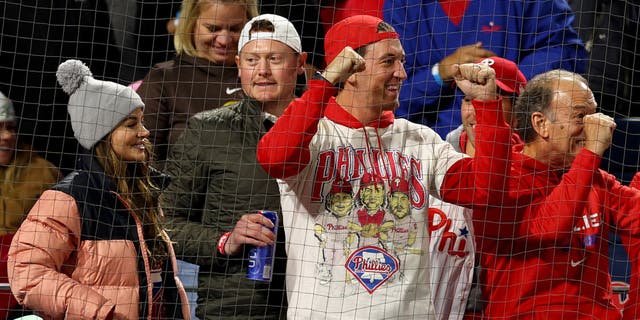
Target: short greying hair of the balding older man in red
x,y
537,97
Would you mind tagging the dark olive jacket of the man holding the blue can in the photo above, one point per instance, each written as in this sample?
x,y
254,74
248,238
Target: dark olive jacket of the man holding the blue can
x,y
215,180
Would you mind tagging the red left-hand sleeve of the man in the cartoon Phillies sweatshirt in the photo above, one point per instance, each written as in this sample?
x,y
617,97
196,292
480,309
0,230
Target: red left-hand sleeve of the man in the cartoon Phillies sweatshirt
x,y
284,150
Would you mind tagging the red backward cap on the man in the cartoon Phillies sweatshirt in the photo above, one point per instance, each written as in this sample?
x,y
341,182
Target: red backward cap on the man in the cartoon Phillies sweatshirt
x,y
355,32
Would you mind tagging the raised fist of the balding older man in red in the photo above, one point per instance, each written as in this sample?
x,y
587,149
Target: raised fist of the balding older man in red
x,y
598,131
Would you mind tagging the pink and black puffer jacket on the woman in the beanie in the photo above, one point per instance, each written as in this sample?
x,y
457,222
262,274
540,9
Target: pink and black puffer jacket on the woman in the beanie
x,y
95,254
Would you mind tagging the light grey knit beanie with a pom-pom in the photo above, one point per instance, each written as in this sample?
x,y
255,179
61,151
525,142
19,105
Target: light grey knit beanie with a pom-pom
x,y
95,107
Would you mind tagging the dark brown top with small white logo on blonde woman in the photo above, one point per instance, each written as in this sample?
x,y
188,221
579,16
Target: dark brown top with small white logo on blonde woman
x,y
175,90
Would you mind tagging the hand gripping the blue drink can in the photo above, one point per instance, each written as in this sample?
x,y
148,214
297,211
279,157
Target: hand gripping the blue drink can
x,y
252,229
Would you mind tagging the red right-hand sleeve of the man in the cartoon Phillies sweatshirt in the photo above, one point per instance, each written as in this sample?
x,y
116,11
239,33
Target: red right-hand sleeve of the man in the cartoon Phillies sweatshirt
x,y
482,180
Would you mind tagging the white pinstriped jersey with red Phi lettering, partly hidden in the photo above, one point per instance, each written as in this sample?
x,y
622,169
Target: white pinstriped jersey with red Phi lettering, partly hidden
x,y
452,250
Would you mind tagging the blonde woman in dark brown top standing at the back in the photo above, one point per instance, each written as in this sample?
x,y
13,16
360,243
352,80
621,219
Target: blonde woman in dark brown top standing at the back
x,y
203,74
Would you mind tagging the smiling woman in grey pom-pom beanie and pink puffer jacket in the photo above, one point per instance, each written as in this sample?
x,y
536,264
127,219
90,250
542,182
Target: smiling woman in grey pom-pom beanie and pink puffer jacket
x,y
93,246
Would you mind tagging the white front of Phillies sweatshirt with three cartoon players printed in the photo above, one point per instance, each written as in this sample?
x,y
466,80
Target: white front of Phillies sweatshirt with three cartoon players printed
x,y
386,276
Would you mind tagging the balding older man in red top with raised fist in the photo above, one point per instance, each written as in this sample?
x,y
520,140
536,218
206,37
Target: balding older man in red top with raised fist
x,y
545,250
